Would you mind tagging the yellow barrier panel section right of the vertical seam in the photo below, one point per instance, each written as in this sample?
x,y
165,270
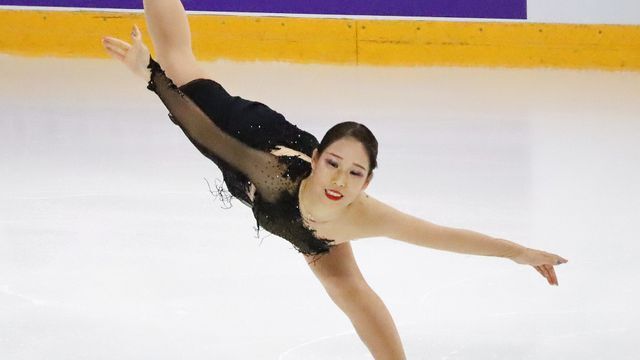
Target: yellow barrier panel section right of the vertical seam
x,y
499,44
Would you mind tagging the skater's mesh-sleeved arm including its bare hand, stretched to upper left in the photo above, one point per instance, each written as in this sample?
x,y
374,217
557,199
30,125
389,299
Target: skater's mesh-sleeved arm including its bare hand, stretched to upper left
x,y
262,169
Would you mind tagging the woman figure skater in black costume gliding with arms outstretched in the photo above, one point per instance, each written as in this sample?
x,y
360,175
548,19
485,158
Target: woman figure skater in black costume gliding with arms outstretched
x,y
309,193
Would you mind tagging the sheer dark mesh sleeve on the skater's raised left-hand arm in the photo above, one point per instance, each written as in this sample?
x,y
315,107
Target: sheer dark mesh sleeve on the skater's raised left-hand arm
x,y
261,168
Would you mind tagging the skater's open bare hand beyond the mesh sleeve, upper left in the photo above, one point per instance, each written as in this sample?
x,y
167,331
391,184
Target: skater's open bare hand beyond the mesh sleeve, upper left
x,y
135,56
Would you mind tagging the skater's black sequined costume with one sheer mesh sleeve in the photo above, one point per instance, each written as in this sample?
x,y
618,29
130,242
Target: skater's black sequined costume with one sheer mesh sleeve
x,y
238,136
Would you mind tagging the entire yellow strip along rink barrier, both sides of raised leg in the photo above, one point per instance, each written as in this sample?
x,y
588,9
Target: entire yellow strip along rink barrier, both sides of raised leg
x,y
338,41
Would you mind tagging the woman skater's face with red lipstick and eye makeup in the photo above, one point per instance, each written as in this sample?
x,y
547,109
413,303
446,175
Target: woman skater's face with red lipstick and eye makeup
x,y
343,167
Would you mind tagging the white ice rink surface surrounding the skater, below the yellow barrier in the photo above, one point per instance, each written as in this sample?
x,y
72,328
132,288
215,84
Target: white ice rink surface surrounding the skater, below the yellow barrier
x,y
111,246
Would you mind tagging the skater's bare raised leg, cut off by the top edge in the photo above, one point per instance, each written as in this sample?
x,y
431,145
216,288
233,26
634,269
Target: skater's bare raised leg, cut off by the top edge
x,y
171,37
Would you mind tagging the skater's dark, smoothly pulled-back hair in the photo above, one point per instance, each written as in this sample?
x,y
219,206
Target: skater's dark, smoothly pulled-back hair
x,y
356,131
